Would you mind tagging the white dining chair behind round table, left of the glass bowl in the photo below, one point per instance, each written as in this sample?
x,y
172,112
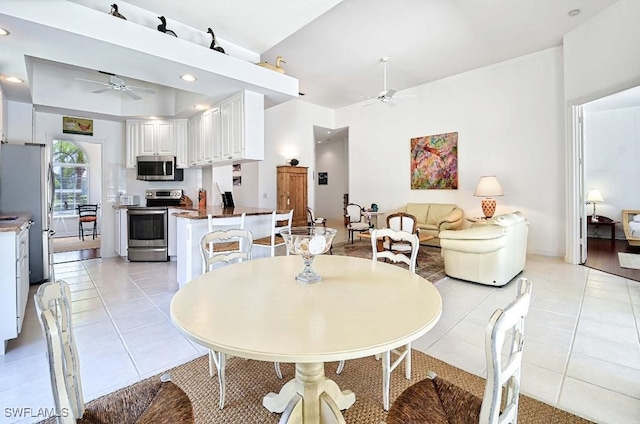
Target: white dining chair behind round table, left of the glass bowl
x,y
210,256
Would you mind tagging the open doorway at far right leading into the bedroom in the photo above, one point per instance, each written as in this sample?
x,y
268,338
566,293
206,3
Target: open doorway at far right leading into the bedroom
x,y
609,133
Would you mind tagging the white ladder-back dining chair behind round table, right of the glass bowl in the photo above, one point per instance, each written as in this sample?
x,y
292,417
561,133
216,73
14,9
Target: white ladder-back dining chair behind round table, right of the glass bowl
x,y
391,236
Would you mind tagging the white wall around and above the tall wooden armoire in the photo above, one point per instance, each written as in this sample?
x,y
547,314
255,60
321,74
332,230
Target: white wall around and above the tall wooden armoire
x,y
288,134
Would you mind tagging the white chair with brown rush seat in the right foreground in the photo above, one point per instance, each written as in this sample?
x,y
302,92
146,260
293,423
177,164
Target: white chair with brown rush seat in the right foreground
x,y
435,400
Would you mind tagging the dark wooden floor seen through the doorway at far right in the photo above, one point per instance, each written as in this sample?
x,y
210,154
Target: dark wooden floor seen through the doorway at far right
x,y
602,254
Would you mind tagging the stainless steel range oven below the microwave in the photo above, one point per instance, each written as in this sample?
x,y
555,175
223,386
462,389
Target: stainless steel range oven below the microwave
x,y
148,226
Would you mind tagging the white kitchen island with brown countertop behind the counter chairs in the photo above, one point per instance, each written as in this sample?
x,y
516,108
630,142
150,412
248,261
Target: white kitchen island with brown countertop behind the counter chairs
x,y
192,224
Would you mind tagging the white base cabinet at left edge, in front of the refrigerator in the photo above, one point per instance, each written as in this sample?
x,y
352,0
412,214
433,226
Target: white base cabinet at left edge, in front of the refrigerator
x,y
14,282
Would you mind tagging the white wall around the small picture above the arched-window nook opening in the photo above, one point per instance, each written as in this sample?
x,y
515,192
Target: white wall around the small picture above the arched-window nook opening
x,y
110,135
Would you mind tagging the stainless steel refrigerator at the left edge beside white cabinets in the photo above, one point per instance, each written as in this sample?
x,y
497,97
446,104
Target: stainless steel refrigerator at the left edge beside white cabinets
x,y
26,185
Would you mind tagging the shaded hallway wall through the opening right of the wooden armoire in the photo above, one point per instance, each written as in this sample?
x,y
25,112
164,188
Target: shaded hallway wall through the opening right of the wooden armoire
x,y
331,158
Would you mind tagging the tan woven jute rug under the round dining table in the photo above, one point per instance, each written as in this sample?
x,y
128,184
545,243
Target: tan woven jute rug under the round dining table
x,y
248,381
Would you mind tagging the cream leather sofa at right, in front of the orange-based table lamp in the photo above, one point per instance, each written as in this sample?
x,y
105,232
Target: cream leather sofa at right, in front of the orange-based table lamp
x,y
491,252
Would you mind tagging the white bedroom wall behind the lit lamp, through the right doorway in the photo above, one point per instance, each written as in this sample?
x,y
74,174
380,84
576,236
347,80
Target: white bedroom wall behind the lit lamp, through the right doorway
x,y
613,137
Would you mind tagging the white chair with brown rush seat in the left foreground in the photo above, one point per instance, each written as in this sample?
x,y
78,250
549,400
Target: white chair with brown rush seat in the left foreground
x,y
155,400
